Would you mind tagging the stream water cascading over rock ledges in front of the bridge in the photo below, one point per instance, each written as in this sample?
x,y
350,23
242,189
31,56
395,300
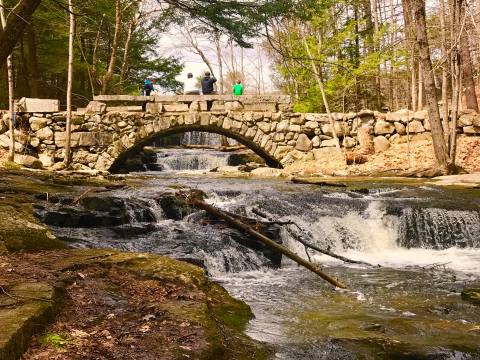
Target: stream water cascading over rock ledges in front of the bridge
x,y
423,241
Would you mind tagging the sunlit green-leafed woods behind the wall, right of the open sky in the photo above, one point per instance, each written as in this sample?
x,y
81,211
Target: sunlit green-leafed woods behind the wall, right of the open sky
x,y
367,57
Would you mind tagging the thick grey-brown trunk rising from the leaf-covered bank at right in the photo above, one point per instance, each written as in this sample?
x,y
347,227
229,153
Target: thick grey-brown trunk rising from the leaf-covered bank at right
x,y
418,11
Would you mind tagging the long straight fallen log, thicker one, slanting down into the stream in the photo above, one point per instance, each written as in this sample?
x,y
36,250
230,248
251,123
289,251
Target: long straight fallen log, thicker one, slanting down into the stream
x,y
263,239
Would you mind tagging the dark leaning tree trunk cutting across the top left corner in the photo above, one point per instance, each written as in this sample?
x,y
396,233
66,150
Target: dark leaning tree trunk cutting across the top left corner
x,y
15,24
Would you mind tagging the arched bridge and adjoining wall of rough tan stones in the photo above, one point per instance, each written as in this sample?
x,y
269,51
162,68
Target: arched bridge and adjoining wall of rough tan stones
x,y
103,136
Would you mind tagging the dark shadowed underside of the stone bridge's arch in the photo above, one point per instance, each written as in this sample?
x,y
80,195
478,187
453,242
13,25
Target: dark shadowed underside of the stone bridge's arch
x,y
117,165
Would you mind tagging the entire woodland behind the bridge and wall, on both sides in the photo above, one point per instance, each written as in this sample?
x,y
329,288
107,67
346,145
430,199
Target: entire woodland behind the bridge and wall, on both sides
x,y
330,55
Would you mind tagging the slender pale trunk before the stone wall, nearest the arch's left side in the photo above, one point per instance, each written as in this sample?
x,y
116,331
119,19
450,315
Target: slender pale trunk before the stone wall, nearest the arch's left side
x,y
71,38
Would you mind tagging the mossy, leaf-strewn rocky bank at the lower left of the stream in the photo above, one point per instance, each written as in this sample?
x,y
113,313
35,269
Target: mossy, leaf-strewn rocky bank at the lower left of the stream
x,y
89,303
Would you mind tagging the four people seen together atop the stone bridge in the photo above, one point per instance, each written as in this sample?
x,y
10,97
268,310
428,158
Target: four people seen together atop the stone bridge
x,y
191,86
